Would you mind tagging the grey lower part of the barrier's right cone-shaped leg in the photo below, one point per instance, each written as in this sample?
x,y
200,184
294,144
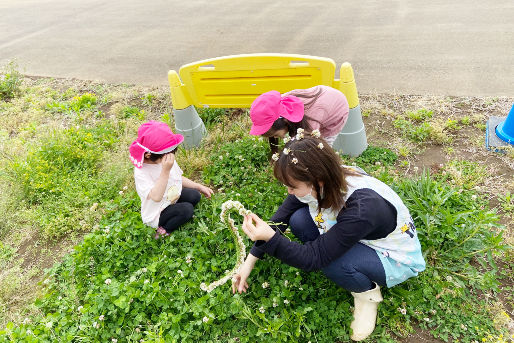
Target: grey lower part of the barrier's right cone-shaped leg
x,y
352,138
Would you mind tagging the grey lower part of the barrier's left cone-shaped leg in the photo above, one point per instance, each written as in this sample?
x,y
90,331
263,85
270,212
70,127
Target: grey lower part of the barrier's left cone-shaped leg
x,y
189,124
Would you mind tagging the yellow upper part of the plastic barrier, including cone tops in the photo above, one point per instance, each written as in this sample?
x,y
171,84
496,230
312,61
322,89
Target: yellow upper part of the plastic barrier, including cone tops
x,y
235,81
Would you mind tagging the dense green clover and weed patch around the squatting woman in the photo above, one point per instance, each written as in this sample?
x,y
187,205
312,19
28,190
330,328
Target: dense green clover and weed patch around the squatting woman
x,y
147,291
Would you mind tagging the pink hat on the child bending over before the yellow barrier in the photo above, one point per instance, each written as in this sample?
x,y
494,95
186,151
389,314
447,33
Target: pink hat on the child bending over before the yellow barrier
x,y
270,106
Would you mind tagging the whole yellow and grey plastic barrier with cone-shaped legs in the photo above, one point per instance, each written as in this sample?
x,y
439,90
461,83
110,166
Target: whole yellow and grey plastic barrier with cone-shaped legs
x,y
235,81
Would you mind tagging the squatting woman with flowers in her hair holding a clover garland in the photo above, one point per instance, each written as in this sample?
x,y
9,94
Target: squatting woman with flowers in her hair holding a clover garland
x,y
353,227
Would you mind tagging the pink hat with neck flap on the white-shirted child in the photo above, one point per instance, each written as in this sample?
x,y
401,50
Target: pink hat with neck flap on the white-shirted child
x,y
155,137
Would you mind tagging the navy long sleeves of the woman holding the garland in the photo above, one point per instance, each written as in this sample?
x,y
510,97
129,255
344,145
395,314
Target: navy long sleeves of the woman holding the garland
x,y
366,215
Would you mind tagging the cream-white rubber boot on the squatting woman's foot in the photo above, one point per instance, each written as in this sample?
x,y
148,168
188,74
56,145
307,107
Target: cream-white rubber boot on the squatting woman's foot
x,y
365,313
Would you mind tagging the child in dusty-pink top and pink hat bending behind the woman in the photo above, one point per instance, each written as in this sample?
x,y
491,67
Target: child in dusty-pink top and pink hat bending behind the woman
x,y
320,108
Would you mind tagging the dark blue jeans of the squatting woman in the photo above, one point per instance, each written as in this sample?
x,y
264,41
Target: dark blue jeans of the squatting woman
x,y
354,271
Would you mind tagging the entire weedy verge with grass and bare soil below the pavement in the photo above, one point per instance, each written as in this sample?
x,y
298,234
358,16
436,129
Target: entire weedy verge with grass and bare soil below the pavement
x,y
67,191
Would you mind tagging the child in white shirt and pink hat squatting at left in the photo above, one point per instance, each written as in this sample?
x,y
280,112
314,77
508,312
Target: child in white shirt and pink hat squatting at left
x,y
167,197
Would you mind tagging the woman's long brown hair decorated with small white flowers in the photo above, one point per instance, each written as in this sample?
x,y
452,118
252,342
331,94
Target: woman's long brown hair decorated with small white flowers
x,y
308,161
